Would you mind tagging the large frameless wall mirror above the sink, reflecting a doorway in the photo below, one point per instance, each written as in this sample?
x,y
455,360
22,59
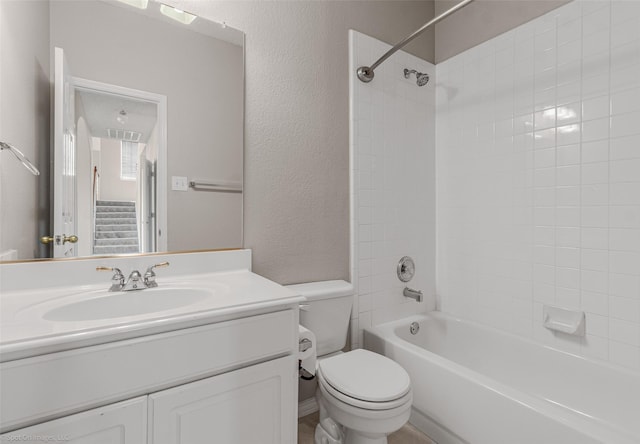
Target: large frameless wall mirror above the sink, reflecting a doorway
x,y
133,112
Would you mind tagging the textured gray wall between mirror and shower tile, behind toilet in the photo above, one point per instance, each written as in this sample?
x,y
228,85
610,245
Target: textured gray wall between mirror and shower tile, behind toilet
x,y
297,124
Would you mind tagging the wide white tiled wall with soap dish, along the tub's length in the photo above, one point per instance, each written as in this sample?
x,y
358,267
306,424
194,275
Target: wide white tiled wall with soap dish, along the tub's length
x,y
538,178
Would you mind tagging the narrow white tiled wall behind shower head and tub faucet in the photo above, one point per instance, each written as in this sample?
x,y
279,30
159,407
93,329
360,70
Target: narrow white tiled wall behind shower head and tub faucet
x,y
392,150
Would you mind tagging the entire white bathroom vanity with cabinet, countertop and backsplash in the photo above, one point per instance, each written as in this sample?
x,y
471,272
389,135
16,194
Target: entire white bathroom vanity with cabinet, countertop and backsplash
x,y
217,364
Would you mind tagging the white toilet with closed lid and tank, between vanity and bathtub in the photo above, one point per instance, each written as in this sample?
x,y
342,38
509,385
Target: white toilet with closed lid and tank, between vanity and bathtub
x,y
362,396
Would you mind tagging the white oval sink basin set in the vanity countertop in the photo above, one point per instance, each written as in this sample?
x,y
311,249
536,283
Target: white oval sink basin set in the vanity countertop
x,y
128,303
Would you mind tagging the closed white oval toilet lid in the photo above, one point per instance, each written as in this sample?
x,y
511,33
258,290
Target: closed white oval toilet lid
x,y
365,375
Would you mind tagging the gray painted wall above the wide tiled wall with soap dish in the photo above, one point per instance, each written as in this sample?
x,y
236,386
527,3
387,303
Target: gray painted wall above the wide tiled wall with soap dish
x,y
482,20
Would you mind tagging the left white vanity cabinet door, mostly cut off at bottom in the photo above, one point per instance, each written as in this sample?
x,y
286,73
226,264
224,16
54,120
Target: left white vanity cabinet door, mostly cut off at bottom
x,y
121,423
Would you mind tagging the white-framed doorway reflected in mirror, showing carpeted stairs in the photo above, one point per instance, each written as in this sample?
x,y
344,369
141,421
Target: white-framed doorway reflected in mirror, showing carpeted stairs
x,y
119,141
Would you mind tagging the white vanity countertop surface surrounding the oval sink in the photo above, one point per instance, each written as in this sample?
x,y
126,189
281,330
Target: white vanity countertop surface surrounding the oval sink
x,y
24,332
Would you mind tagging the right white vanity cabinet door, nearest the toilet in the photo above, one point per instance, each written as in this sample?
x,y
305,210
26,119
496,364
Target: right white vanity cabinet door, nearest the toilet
x,y
255,404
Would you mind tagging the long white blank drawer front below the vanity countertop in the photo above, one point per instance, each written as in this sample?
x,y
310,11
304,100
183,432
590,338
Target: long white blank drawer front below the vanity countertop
x,y
49,386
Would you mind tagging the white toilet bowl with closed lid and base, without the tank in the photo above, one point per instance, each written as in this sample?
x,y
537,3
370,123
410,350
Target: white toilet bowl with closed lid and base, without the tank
x,y
363,397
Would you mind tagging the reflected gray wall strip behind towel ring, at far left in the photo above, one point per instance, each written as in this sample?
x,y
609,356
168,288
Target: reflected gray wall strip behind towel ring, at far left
x,y
24,122
